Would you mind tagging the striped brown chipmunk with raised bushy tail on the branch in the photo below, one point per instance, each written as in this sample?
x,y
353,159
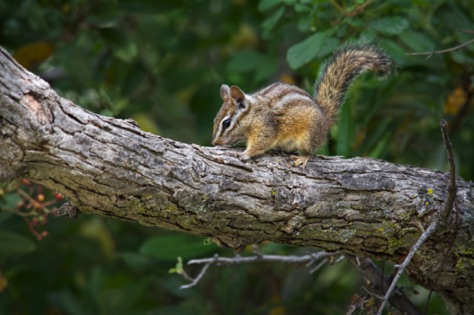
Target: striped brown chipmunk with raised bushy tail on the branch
x,y
285,117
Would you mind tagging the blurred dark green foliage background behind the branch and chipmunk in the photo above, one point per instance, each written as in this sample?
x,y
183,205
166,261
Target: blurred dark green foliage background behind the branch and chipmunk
x,y
162,63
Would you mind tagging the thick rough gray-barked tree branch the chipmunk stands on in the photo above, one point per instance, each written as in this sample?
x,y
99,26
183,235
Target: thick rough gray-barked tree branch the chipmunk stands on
x,y
109,167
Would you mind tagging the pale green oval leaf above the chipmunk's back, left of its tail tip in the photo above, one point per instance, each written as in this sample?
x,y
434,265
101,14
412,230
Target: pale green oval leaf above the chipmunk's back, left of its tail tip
x,y
317,45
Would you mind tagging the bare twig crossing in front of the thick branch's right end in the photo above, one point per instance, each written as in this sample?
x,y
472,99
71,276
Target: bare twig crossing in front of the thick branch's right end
x,y
442,215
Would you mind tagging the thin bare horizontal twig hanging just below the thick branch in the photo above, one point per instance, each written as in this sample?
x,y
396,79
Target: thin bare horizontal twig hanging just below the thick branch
x,y
308,259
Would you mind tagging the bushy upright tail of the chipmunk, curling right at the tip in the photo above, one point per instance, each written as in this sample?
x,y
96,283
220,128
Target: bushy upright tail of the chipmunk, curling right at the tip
x,y
345,65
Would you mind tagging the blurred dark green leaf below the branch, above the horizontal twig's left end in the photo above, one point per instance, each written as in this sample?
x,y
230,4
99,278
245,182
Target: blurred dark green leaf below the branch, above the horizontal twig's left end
x,y
170,247
